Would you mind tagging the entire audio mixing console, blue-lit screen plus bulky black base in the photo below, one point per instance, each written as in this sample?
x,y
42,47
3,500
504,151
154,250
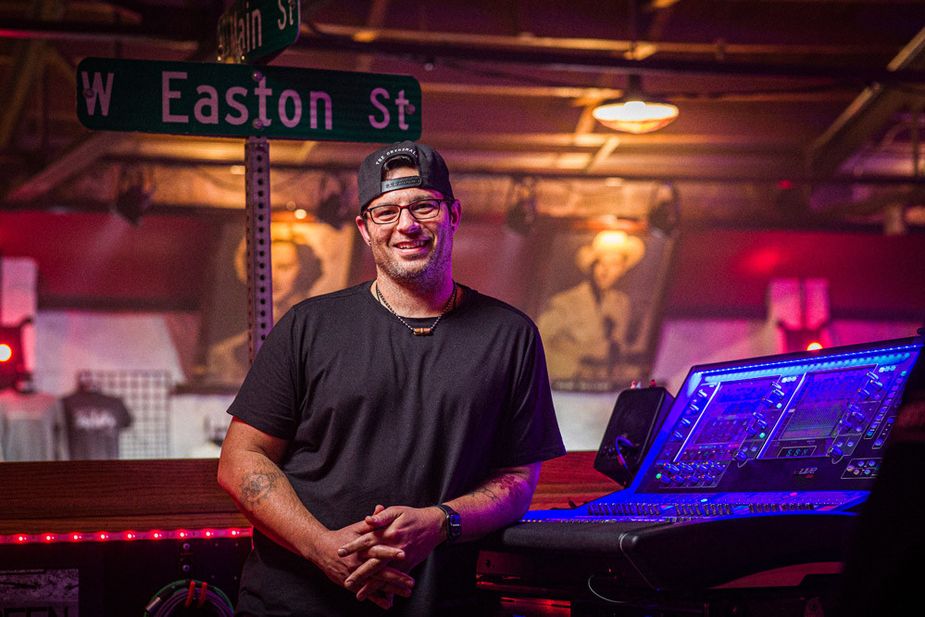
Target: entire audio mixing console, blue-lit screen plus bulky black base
x,y
753,482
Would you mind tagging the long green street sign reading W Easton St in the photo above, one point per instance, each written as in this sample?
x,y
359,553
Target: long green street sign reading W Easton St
x,y
236,100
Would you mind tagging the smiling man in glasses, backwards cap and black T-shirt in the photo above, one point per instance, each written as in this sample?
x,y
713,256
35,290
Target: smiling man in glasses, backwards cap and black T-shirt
x,y
385,426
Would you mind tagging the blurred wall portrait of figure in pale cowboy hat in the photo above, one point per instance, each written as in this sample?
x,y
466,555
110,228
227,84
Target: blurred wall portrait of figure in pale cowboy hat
x,y
598,306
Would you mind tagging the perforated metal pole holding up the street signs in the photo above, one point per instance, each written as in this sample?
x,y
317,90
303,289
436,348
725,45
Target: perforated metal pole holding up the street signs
x,y
258,240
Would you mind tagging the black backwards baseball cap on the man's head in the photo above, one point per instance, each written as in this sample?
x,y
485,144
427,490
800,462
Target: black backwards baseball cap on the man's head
x,y
432,171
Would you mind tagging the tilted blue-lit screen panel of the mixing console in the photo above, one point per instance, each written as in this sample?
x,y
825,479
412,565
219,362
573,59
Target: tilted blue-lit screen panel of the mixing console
x,y
793,421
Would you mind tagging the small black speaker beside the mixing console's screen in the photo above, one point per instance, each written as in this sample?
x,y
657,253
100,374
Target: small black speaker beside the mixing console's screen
x,y
636,418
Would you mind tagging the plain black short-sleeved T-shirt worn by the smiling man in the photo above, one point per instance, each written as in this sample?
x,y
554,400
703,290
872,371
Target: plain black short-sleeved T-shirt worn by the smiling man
x,y
376,415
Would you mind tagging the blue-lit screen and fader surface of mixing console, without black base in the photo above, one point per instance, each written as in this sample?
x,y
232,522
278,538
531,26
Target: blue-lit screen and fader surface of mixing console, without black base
x,y
794,433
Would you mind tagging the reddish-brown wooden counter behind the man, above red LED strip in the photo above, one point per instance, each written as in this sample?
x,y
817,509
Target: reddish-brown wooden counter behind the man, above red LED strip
x,y
86,496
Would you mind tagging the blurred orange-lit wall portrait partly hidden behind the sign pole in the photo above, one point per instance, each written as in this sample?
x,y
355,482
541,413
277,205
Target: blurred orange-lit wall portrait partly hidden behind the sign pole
x,y
308,259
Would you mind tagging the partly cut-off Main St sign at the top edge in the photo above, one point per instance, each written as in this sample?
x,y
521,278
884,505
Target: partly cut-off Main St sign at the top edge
x,y
255,30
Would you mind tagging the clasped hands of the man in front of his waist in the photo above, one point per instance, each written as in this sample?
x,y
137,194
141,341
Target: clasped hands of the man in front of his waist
x,y
399,536
